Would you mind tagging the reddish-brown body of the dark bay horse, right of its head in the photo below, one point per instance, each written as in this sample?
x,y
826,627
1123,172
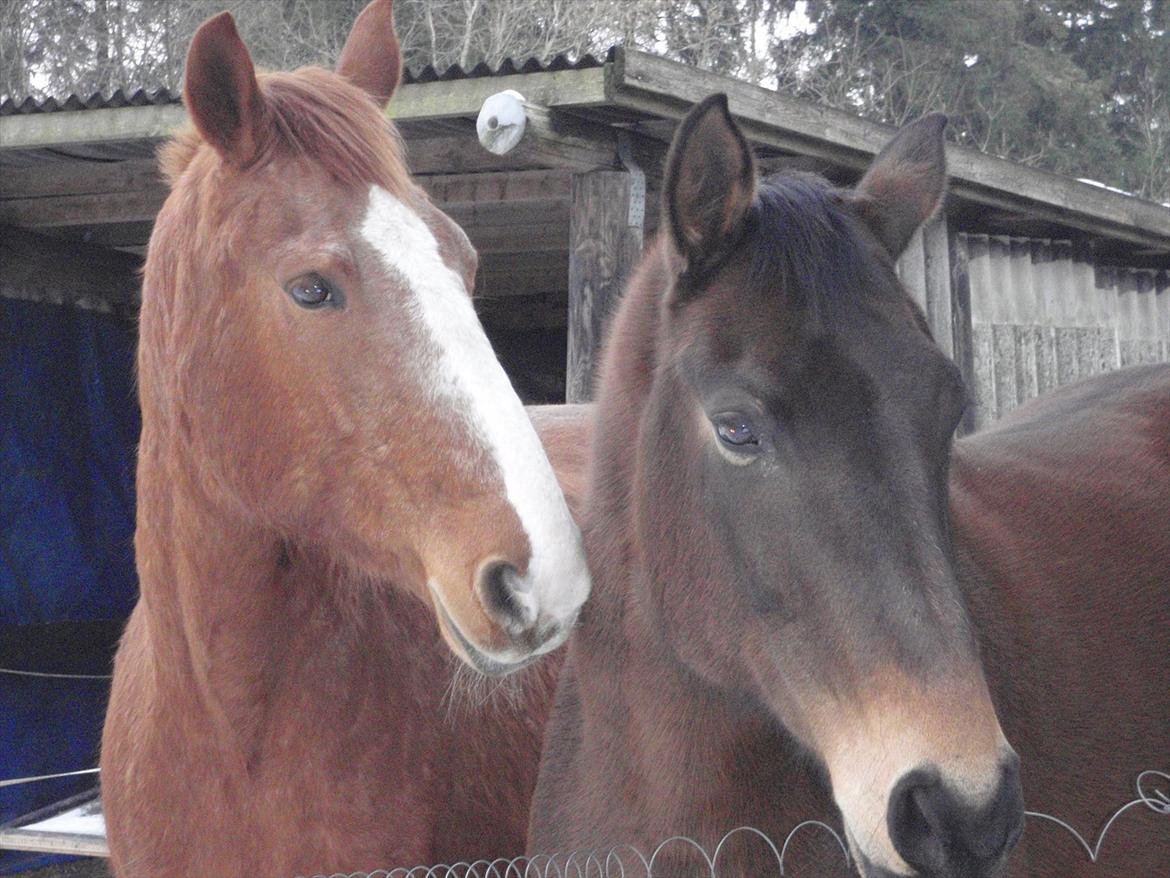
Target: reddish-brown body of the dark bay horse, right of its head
x,y
1062,518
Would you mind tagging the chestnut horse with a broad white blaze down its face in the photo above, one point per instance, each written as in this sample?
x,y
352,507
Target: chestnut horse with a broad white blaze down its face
x,y
333,470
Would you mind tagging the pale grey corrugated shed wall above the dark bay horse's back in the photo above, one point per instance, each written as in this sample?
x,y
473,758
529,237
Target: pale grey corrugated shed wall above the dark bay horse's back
x,y
1028,315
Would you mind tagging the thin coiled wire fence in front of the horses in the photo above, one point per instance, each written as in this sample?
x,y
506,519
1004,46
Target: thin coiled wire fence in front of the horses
x,y
1153,792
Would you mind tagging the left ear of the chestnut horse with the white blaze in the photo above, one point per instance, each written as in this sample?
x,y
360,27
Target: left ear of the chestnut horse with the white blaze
x,y
222,93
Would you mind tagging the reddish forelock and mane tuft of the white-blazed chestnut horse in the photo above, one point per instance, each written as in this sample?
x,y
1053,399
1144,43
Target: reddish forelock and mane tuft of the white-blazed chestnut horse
x,y
316,114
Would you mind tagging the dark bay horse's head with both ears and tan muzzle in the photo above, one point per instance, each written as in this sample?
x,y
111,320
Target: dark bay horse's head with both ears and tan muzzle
x,y
793,500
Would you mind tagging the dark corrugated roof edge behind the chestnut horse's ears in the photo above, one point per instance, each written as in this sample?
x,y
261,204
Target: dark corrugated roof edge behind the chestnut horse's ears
x,y
161,97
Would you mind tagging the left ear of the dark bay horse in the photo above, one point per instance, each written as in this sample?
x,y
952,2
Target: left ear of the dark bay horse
x,y
711,183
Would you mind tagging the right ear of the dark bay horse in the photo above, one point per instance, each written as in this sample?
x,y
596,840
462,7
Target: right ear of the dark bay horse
x,y
905,184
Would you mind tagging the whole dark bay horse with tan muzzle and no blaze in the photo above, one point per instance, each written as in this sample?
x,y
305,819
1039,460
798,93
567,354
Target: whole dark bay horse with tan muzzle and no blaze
x,y
781,619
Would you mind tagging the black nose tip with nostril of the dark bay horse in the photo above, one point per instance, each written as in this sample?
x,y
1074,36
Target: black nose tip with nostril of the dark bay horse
x,y
940,834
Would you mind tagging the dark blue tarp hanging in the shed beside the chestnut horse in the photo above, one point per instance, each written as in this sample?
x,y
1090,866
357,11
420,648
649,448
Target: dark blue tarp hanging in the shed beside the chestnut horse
x,y
68,429
